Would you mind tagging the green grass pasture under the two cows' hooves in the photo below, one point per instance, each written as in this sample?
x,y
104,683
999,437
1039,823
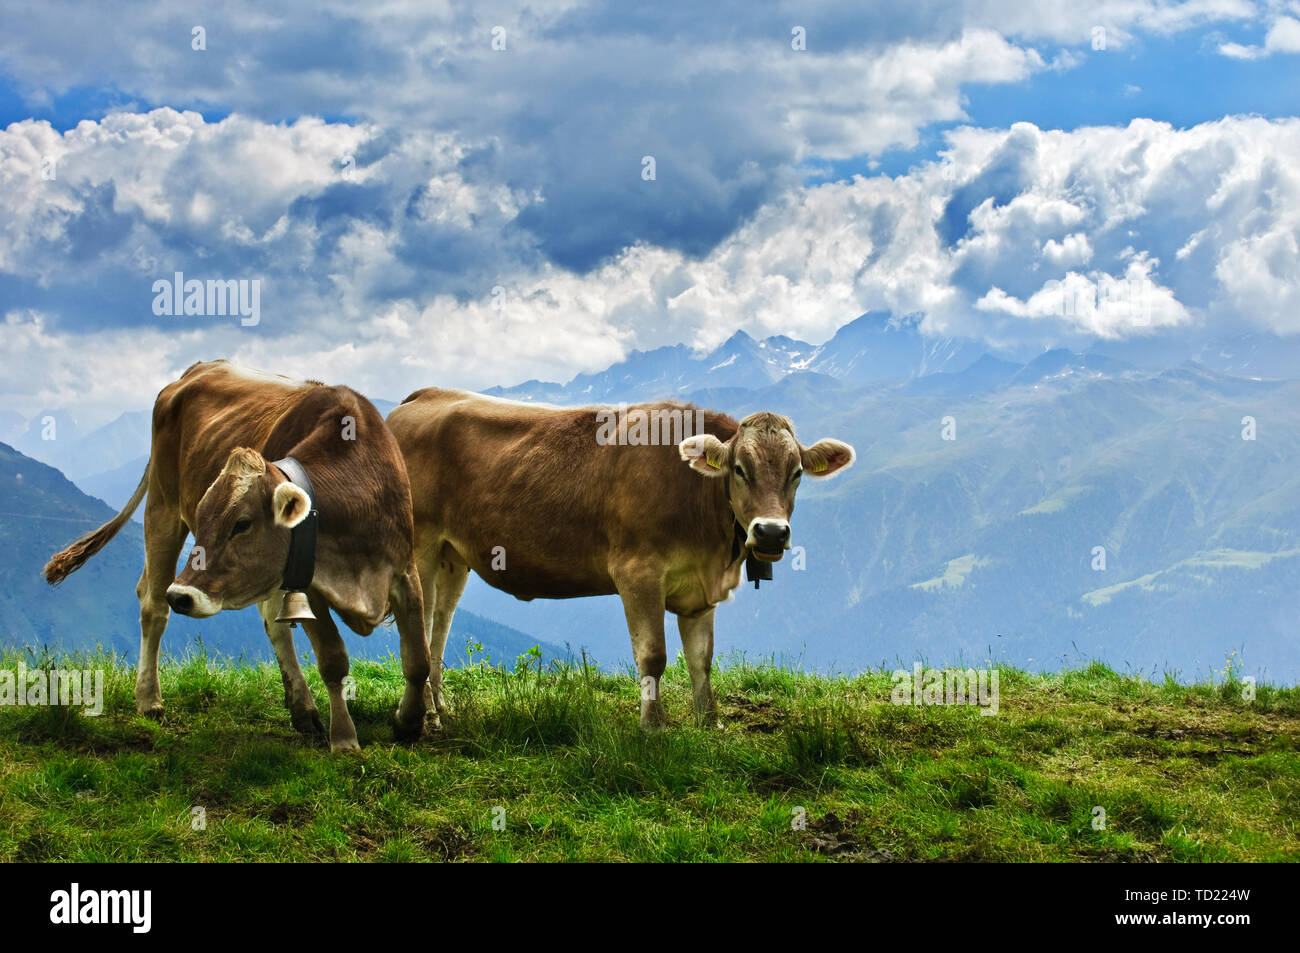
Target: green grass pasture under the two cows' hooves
x,y
1182,773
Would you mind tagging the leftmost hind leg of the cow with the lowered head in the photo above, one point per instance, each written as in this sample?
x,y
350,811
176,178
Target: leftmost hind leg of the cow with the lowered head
x,y
164,536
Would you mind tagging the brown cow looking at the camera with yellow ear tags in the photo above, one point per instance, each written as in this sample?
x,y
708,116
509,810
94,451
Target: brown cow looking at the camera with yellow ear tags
x,y
543,505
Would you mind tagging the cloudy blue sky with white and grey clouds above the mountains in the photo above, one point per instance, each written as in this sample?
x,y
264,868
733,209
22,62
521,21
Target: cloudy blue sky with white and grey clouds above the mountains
x,y
462,194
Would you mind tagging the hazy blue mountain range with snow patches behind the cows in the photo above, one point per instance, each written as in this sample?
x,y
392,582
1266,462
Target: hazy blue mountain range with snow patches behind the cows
x,y
986,483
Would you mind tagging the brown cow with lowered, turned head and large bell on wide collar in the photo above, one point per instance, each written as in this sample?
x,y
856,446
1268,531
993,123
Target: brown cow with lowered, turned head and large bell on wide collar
x,y
218,432
